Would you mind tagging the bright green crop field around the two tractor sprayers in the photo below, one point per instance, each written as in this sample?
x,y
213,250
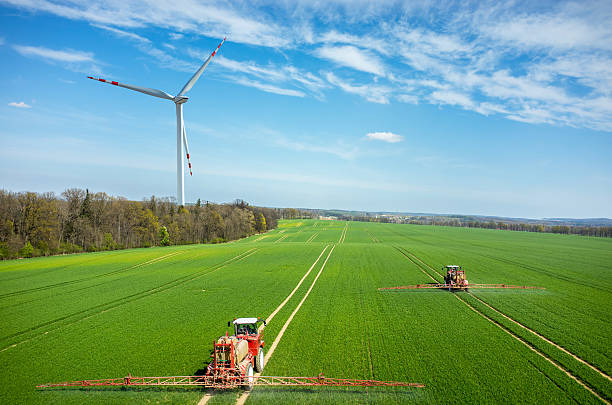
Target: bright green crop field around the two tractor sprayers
x,y
156,312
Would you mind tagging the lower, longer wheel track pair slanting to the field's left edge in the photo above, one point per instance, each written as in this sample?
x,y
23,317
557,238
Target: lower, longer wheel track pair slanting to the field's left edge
x,y
101,308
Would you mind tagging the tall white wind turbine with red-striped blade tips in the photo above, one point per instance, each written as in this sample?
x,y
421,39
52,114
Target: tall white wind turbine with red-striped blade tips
x,y
181,136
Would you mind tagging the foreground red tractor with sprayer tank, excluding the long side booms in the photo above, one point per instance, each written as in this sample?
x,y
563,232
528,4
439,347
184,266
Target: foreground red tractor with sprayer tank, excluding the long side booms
x,y
235,357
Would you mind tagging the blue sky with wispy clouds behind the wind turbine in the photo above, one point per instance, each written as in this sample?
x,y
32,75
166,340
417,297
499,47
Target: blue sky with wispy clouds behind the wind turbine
x,y
453,107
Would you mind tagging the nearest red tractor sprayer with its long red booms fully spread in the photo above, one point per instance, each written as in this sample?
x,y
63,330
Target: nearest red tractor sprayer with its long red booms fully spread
x,y
234,359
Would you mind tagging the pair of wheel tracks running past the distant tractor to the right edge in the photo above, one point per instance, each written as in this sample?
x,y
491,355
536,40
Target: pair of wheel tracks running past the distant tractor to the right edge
x,y
540,336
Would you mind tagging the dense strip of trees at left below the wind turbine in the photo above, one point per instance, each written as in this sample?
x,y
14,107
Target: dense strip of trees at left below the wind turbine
x,y
41,224
